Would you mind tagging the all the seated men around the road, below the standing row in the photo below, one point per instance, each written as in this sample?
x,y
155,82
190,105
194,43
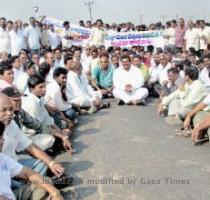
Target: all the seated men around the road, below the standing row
x,y
41,99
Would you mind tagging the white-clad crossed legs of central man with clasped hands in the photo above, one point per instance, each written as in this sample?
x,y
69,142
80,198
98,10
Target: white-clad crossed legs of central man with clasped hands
x,y
138,94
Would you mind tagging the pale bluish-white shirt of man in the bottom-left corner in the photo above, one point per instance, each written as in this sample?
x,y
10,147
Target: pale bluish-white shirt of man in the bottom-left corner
x,y
8,169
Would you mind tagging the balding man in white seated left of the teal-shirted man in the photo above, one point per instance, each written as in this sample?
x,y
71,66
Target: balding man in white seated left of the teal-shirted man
x,y
79,90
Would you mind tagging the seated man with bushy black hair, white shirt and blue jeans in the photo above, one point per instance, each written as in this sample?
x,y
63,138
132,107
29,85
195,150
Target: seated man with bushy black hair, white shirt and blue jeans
x,y
56,95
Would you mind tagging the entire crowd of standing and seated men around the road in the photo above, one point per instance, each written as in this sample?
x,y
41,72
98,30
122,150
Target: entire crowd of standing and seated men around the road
x,y
46,84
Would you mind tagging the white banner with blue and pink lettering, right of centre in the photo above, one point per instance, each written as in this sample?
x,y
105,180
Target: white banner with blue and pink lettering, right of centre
x,y
129,39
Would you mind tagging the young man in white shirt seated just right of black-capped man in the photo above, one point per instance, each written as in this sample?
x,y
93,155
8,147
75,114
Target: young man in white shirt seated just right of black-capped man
x,y
34,105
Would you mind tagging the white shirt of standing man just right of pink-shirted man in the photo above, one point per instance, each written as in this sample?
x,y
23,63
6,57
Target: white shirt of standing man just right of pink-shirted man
x,y
192,37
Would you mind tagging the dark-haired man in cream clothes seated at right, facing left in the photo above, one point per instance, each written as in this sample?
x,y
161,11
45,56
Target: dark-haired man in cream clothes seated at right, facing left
x,y
183,100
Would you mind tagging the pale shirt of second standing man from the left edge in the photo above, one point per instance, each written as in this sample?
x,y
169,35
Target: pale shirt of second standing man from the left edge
x,y
17,42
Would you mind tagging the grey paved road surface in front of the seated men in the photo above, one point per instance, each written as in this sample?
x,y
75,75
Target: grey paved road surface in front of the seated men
x,y
136,156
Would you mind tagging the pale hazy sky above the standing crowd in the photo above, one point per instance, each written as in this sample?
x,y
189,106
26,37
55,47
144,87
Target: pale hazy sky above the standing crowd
x,y
108,10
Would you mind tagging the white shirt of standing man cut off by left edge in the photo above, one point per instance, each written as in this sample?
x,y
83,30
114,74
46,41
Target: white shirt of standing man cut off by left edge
x,y
5,41
